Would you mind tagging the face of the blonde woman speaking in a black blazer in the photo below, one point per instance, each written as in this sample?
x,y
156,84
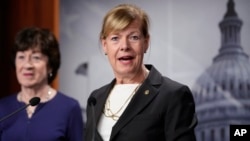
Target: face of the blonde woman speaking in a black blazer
x,y
125,50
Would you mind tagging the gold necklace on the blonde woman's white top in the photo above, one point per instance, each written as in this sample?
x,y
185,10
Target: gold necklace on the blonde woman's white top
x,y
115,115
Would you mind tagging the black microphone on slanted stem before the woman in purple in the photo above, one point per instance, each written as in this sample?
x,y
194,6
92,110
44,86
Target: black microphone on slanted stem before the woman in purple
x,y
33,102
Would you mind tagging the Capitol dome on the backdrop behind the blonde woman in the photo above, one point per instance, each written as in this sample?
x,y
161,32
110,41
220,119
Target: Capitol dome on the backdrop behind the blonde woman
x,y
222,92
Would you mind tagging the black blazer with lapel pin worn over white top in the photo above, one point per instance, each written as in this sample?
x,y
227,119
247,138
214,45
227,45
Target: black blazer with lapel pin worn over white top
x,y
166,113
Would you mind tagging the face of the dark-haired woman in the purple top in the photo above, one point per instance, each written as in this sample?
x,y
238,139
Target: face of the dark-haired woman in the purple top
x,y
31,68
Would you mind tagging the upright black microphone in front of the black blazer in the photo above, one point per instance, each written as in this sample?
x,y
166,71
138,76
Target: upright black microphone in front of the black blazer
x,y
91,103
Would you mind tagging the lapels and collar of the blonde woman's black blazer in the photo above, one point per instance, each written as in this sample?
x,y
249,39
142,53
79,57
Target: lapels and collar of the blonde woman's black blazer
x,y
144,95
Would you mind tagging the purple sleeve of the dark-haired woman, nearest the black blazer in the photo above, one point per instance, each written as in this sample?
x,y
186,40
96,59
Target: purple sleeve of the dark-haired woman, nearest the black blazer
x,y
75,125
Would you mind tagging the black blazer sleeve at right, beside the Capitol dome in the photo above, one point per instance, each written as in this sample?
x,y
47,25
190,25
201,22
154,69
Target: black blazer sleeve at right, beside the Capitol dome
x,y
180,117
